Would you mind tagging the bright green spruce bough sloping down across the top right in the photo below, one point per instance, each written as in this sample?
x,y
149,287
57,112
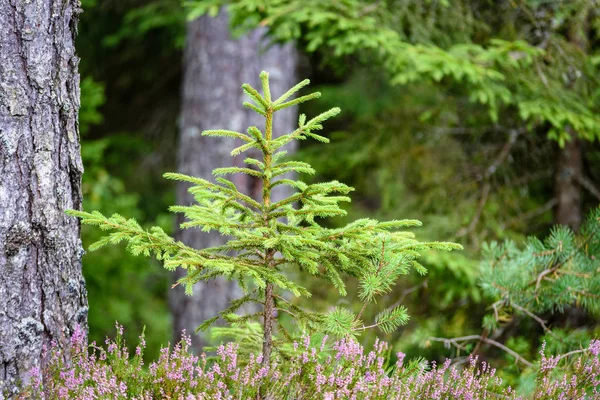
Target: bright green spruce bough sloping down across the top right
x,y
497,74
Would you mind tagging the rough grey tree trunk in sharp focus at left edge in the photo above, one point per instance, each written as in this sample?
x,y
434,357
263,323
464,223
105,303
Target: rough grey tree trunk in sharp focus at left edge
x,y
42,291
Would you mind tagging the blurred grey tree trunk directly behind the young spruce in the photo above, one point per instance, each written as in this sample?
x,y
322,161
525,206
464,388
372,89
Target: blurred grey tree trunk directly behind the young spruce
x,y
215,66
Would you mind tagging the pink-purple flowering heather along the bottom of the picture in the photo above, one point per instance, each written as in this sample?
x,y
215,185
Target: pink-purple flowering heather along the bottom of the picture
x,y
343,371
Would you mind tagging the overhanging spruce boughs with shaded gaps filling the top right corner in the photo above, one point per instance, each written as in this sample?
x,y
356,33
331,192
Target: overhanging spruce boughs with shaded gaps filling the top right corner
x,y
501,54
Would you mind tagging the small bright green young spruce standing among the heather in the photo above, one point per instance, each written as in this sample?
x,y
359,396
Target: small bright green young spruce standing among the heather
x,y
268,237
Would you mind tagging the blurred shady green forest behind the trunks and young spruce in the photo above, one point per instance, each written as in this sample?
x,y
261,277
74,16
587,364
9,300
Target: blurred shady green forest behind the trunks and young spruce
x,y
471,164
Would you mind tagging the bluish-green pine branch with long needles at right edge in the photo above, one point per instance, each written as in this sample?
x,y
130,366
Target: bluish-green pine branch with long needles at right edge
x,y
546,276
